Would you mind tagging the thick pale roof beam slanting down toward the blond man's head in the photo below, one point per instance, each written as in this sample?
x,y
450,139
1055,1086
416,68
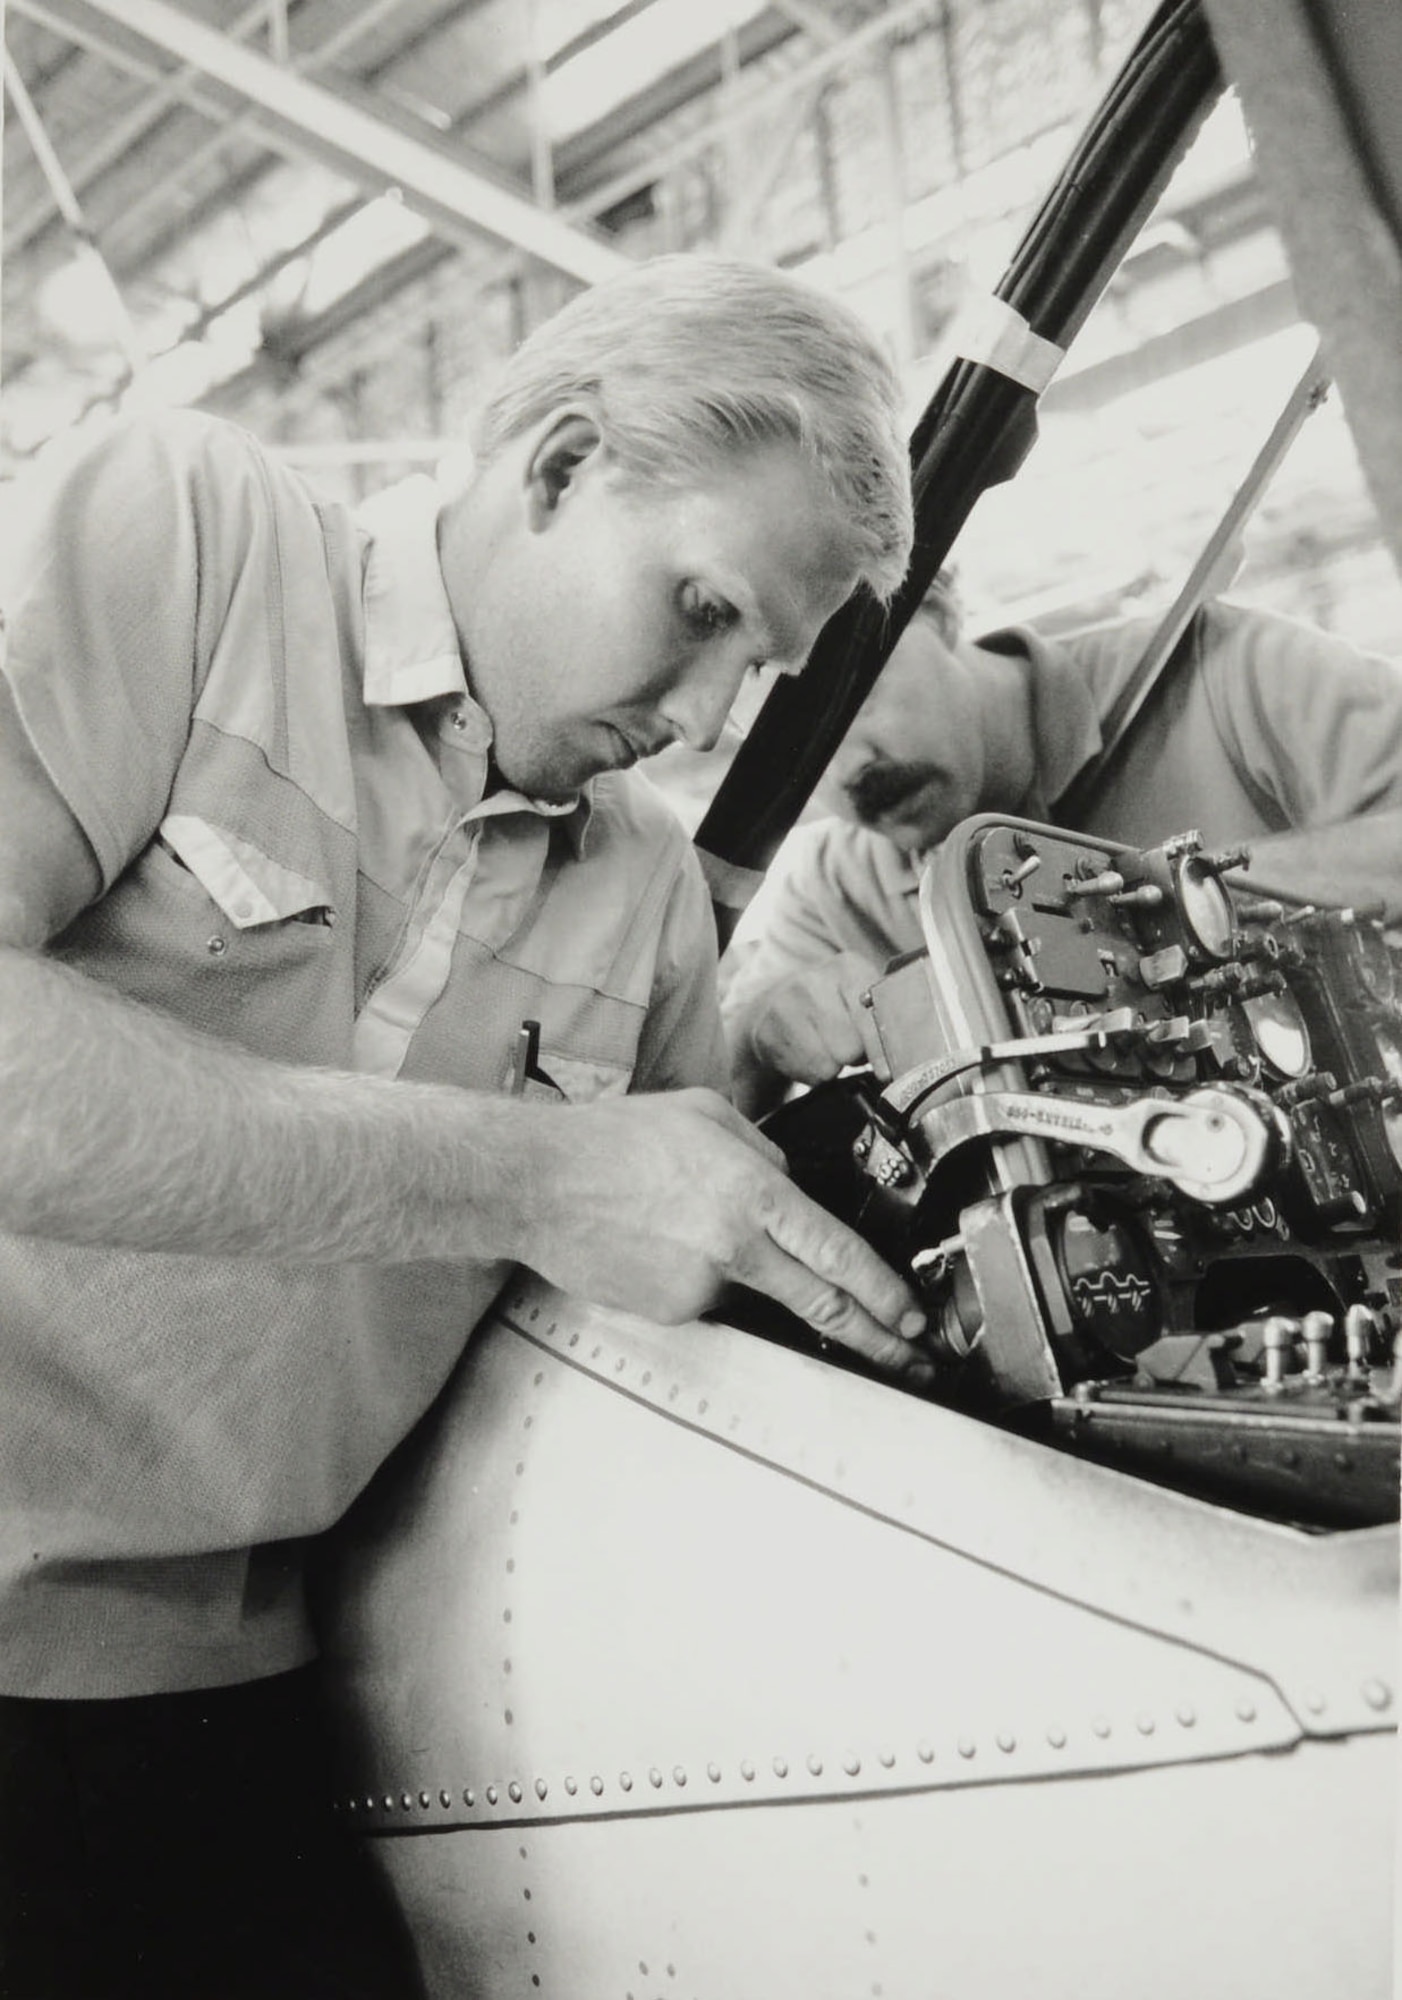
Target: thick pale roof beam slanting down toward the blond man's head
x,y
293,111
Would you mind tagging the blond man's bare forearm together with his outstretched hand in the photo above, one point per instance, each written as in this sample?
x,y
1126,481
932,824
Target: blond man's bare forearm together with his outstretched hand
x,y
121,1127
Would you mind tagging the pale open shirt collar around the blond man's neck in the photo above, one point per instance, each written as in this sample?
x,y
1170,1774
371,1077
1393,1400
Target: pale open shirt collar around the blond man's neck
x,y
413,645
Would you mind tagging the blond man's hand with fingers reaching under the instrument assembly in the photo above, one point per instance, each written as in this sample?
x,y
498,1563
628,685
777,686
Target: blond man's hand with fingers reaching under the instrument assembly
x,y
655,1203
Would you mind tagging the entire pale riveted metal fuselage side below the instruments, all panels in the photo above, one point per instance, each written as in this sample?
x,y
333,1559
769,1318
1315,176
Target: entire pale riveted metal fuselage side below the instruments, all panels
x,y
637,1589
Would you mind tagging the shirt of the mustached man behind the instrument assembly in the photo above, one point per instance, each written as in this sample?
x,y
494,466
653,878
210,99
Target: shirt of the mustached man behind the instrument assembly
x,y
1273,727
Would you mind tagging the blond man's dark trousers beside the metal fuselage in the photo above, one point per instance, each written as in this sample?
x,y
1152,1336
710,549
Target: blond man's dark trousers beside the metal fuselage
x,y
181,1847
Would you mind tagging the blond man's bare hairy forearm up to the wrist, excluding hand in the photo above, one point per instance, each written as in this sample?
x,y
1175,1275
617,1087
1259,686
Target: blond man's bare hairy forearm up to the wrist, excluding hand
x,y
123,1127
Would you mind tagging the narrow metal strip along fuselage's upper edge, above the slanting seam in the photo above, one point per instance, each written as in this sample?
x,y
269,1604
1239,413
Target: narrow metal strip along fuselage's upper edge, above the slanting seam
x,y
1315,1613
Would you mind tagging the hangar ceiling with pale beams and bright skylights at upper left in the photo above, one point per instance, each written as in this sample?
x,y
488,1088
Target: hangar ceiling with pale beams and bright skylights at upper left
x,y
205,157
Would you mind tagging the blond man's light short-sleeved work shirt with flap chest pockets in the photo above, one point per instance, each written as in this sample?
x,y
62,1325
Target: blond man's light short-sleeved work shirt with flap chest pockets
x,y
255,707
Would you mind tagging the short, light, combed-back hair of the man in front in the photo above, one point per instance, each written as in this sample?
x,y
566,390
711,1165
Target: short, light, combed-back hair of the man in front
x,y
689,359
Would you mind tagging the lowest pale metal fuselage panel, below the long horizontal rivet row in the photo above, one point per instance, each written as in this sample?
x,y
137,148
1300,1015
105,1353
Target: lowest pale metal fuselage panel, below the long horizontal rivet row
x,y
1213,1881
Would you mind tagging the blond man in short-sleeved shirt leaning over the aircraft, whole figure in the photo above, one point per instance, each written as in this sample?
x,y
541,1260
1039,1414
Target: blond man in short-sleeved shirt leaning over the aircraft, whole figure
x,y
343,967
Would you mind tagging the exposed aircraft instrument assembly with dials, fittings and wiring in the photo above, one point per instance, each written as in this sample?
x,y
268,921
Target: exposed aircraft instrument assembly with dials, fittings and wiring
x,y
1135,1133
